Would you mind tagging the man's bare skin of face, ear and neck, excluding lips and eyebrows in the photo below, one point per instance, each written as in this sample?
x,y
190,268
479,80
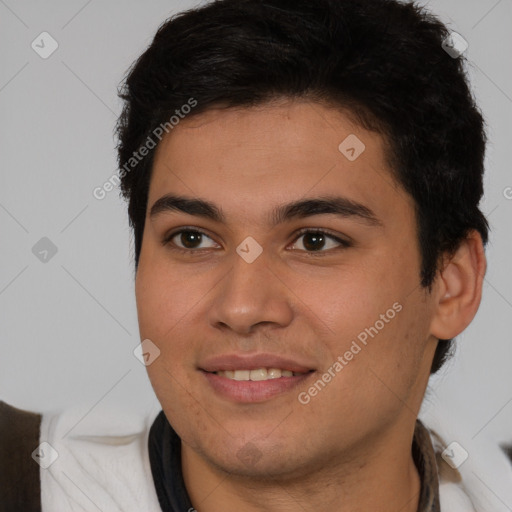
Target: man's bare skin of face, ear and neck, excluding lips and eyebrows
x,y
349,448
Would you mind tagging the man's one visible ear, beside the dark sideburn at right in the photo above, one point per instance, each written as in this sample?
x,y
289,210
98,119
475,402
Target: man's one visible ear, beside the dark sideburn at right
x,y
459,288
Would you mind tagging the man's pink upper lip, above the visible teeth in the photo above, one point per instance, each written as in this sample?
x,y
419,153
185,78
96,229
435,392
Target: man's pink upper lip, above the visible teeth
x,y
252,362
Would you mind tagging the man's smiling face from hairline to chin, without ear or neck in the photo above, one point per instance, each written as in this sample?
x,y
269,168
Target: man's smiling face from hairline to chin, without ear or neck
x,y
303,304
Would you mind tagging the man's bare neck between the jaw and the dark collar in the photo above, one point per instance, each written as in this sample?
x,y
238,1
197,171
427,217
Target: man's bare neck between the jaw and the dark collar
x,y
380,476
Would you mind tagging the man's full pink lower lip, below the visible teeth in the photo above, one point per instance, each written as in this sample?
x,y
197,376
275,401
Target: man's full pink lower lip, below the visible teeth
x,y
249,391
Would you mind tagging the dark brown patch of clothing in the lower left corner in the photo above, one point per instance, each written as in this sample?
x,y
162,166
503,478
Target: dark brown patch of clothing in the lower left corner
x,y
19,437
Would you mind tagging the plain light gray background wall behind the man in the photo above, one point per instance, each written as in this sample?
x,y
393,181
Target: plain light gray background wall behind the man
x,y
69,326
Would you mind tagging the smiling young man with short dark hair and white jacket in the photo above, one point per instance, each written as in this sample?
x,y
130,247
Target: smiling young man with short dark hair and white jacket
x,y
303,182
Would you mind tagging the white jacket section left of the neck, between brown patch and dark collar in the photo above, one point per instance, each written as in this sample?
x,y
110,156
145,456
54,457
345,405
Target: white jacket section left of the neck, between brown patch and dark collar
x,y
100,460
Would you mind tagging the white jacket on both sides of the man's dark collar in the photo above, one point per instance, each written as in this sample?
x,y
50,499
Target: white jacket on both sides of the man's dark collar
x,y
103,464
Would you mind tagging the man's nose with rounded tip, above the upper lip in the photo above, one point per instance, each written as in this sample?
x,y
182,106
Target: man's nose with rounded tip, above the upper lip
x,y
252,295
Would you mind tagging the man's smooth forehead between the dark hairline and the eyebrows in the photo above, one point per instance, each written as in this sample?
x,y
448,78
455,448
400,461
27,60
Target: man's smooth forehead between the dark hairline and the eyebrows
x,y
247,159
